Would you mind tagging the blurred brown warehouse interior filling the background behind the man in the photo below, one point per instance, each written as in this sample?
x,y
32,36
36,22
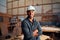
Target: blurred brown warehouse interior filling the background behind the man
x,y
14,11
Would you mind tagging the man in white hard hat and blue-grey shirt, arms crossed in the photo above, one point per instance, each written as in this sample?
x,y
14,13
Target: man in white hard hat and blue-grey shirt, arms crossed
x,y
30,27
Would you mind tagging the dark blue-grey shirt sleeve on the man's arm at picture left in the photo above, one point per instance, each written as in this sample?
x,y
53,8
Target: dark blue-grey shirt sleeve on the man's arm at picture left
x,y
26,30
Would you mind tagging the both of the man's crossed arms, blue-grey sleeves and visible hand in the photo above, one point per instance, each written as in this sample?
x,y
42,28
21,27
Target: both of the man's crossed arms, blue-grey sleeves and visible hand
x,y
31,34
